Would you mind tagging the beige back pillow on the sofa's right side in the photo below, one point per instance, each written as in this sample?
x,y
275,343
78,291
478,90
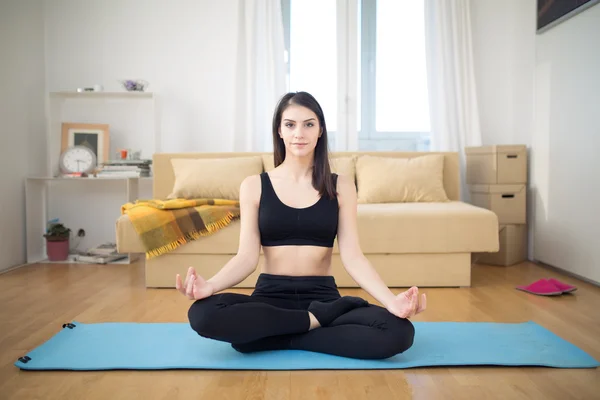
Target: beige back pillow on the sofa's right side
x,y
394,180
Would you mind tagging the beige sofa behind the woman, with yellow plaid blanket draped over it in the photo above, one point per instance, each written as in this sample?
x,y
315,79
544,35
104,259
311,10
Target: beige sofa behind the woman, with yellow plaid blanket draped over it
x,y
428,244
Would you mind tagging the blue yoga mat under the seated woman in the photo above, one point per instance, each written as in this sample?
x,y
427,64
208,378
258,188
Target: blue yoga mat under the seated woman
x,y
151,346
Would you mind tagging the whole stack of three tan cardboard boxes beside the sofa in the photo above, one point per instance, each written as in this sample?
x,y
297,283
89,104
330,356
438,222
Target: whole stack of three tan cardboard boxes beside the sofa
x,y
497,179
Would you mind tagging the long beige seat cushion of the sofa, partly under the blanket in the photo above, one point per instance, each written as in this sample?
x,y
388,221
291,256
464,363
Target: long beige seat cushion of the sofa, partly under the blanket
x,y
449,227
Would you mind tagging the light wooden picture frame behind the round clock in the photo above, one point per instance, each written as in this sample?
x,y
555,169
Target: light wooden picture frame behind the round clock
x,y
94,136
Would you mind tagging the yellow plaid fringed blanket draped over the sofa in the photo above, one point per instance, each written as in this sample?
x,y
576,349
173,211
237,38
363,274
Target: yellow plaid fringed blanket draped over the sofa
x,y
164,225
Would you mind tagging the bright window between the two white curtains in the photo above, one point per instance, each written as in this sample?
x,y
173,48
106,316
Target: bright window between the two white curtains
x,y
392,110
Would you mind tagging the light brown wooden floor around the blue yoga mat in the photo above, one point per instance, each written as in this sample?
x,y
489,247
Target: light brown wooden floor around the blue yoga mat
x,y
35,301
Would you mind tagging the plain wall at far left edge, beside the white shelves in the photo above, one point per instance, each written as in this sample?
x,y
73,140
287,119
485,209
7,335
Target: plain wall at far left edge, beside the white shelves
x,y
21,118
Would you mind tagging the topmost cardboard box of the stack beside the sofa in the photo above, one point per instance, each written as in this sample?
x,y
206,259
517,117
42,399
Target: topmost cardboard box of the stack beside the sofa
x,y
501,164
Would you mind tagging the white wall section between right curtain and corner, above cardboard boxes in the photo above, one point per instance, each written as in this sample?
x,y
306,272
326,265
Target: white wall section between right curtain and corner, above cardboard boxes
x,y
504,57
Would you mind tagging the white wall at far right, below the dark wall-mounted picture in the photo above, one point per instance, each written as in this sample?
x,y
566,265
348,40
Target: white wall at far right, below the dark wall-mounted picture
x,y
566,142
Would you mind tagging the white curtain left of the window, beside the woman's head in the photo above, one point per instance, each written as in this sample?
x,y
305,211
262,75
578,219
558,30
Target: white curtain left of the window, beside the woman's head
x,y
260,73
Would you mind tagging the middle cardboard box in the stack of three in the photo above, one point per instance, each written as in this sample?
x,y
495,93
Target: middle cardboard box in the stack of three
x,y
508,202
